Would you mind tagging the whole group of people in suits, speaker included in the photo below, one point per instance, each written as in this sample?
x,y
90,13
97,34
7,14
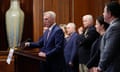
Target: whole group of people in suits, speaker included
x,y
94,48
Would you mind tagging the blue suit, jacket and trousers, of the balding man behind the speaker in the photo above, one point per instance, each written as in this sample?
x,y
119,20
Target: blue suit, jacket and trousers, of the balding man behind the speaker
x,y
70,53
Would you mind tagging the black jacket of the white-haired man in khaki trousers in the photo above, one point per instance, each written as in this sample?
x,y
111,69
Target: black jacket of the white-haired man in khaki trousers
x,y
84,44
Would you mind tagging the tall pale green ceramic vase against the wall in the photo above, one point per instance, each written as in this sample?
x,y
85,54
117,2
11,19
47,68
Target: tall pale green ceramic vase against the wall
x,y
14,24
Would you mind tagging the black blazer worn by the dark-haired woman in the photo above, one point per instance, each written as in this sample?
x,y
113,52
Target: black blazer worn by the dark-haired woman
x,y
94,54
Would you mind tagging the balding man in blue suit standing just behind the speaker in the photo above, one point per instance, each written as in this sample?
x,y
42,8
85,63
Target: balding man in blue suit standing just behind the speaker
x,y
70,50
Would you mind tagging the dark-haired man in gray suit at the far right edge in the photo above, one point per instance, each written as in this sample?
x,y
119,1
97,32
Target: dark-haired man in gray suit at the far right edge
x,y
110,44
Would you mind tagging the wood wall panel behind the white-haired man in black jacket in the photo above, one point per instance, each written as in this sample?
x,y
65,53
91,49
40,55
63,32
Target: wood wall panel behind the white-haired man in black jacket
x,y
83,7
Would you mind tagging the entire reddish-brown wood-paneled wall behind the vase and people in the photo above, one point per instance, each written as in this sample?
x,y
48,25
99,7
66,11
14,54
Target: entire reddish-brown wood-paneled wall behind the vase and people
x,y
66,10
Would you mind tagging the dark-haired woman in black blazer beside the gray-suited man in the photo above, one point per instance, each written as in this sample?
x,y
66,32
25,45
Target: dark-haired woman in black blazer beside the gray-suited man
x,y
101,27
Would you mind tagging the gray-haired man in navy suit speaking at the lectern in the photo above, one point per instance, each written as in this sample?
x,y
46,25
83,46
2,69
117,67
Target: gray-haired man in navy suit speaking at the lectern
x,y
51,44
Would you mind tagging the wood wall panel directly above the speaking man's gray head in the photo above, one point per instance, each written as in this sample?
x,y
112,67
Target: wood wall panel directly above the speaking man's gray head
x,y
62,8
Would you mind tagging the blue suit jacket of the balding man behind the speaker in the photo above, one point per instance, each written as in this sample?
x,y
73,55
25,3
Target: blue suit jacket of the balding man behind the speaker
x,y
70,49
